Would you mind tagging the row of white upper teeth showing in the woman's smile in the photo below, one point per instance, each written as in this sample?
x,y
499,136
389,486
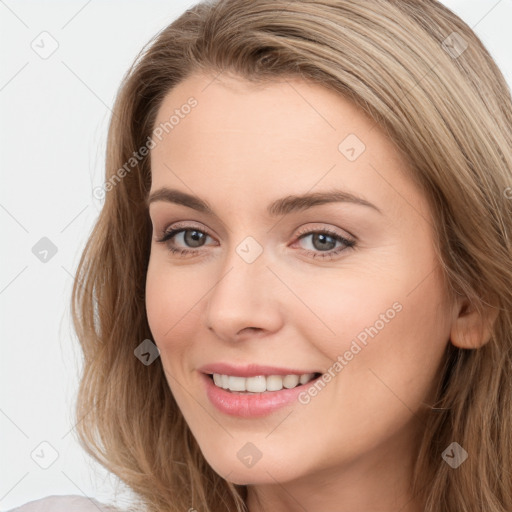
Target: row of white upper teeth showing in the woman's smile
x,y
260,383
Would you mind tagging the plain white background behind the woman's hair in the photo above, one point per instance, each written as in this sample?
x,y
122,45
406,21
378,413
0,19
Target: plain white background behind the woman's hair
x,y
54,118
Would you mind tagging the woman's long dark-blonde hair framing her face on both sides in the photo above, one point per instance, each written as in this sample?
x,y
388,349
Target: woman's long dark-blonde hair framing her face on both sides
x,y
423,76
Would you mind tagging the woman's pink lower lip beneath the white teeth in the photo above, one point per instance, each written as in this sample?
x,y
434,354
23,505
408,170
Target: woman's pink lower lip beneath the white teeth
x,y
250,406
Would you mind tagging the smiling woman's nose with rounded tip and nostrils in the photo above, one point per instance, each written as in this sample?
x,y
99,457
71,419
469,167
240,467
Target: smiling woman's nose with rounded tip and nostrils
x,y
245,300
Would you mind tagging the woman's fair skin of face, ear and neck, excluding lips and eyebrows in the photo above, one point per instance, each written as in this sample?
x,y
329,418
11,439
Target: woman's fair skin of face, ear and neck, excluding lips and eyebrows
x,y
353,445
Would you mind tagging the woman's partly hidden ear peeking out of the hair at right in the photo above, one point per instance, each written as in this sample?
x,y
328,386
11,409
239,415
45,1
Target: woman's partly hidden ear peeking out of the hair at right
x,y
470,328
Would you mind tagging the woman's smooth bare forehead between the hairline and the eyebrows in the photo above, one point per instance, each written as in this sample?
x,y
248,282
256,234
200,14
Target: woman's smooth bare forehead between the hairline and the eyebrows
x,y
260,140
